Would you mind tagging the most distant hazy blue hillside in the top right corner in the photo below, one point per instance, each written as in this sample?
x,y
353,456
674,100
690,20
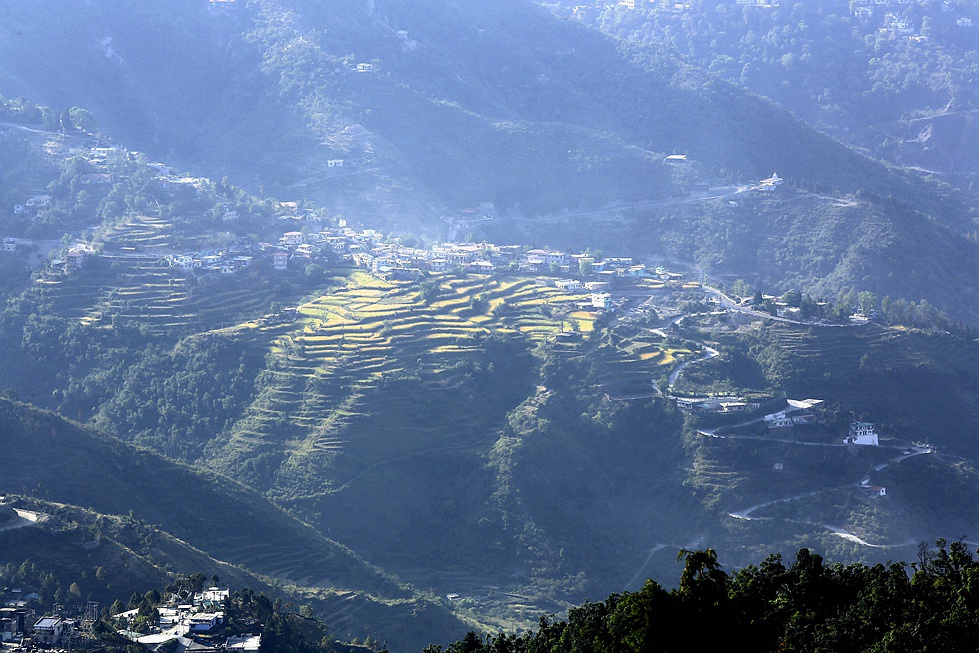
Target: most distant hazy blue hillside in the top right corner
x,y
896,80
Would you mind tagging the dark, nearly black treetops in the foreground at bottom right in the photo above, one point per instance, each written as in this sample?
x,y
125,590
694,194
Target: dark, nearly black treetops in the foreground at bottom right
x,y
930,605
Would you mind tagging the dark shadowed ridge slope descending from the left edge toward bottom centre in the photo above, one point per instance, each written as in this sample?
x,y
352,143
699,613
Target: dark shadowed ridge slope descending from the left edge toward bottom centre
x,y
215,514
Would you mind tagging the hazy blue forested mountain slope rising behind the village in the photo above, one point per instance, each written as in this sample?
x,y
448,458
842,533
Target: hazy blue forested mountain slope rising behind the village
x,y
429,107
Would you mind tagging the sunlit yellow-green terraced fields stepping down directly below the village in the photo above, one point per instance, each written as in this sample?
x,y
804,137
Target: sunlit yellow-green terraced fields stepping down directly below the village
x,y
348,343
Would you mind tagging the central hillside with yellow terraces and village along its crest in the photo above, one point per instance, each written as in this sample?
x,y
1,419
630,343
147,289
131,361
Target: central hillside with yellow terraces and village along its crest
x,y
388,394
